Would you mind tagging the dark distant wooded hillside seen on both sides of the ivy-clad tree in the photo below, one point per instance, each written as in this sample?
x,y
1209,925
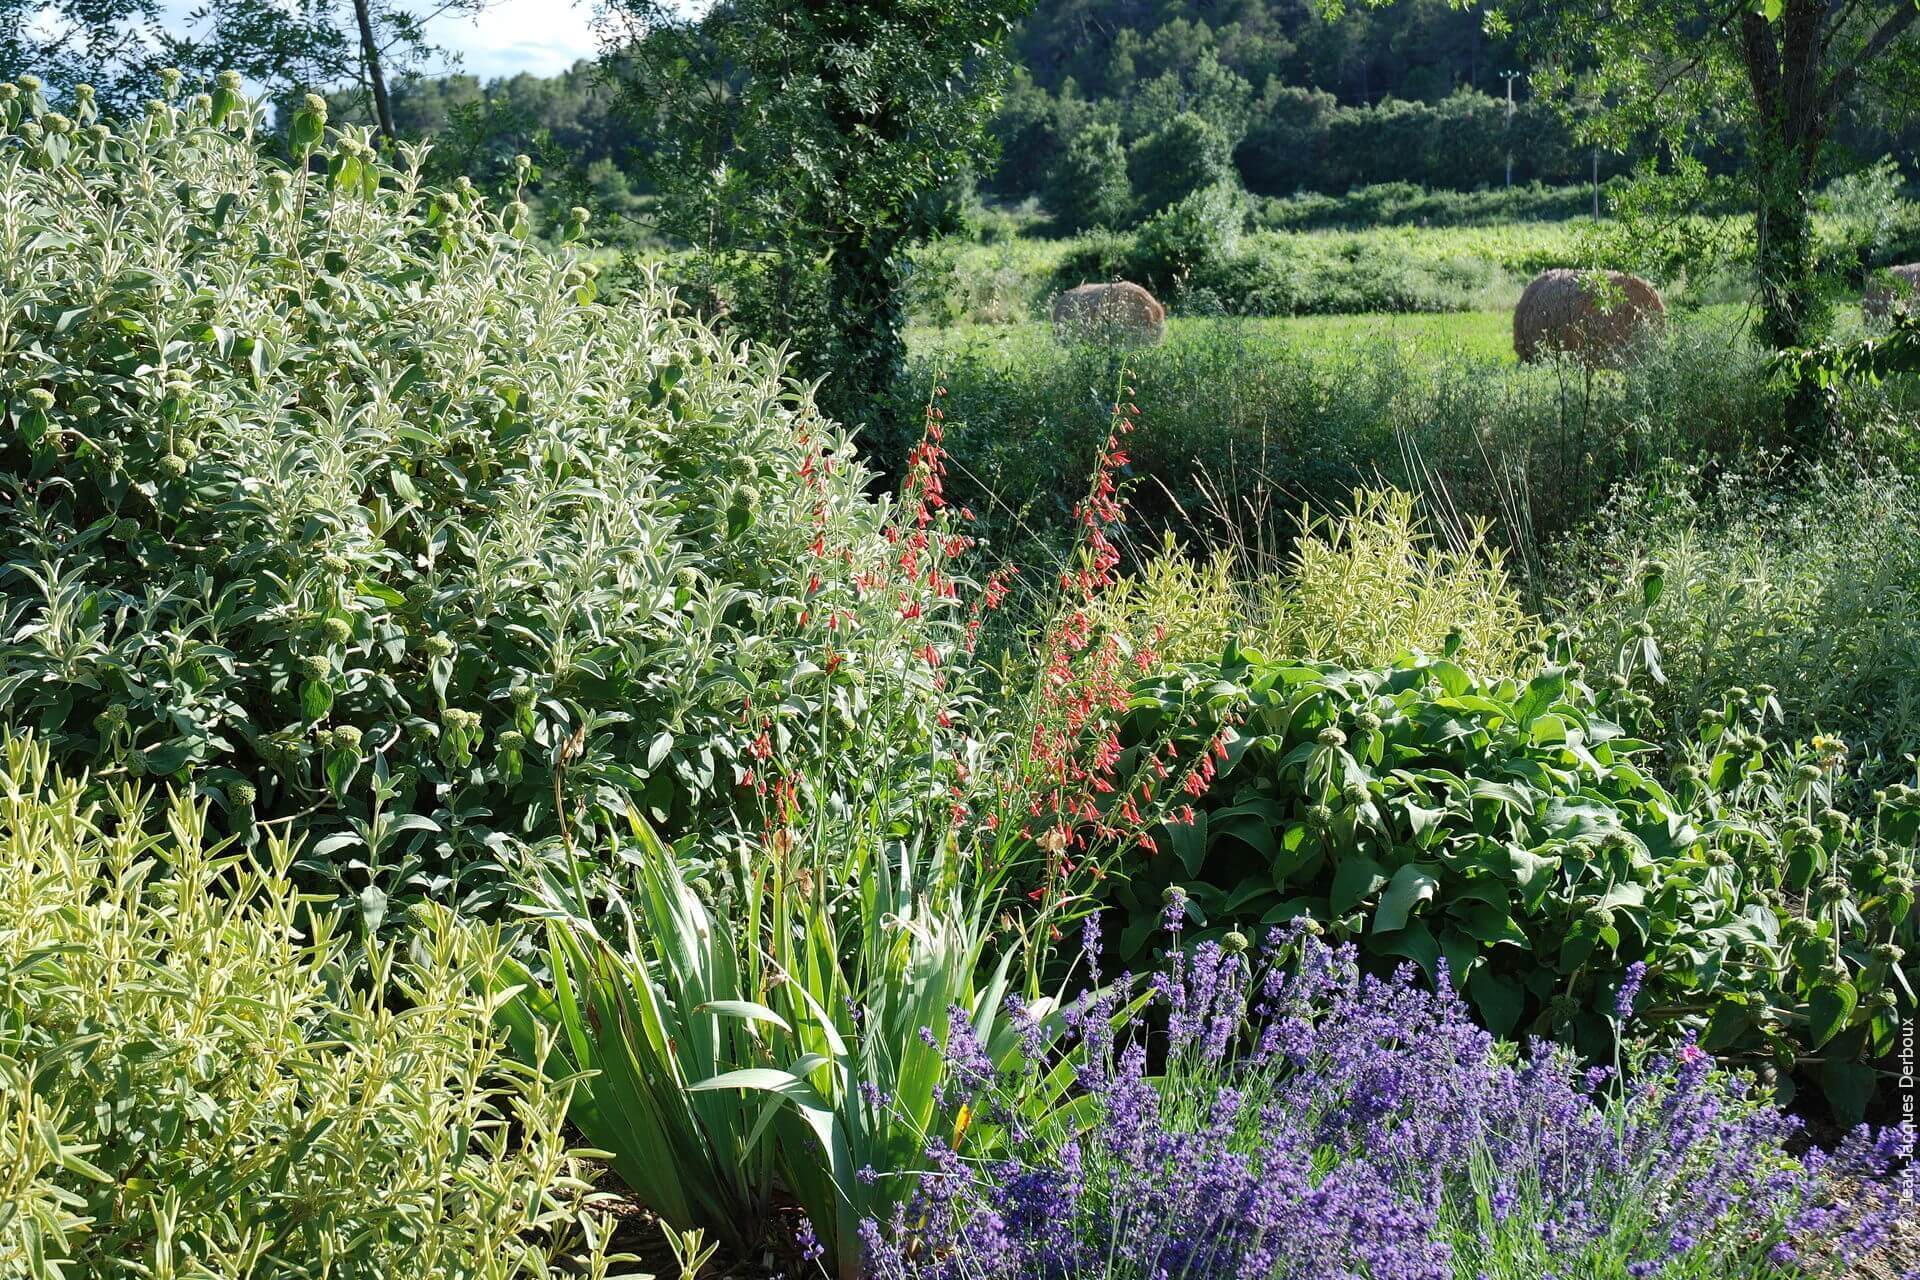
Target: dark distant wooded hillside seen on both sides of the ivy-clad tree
x,y
1105,89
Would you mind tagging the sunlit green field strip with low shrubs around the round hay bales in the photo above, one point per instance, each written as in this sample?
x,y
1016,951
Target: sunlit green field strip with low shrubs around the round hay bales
x,y
1387,249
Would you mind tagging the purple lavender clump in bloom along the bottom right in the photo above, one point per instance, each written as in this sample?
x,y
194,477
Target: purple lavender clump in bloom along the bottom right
x,y
1314,1122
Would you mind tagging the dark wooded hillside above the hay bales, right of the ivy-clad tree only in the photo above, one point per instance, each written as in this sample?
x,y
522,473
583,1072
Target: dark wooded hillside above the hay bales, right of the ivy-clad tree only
x,y
1303,103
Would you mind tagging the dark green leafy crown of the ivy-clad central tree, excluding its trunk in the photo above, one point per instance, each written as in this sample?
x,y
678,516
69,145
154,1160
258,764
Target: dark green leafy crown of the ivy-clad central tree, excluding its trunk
x,y
828,116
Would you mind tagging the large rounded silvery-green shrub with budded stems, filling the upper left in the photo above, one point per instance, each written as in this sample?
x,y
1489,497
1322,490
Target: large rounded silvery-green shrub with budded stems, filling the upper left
x,y
350,502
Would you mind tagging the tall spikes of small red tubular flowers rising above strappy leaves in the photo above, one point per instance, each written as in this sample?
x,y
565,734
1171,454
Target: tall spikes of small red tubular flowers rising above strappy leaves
x,y
1070,792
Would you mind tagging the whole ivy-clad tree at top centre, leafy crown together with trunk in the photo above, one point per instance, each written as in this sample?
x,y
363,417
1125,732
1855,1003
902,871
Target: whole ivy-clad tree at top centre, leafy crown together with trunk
x,y
821,133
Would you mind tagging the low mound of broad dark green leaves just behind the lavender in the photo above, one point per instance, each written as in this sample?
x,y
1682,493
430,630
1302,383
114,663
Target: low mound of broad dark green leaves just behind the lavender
x,y
1522,834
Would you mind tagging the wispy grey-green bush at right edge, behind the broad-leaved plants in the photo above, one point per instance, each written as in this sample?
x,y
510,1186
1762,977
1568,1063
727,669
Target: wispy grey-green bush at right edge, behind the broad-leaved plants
x,y
1812,592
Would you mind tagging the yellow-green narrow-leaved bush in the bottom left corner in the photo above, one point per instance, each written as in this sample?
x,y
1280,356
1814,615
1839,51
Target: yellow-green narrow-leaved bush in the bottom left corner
x,y
193,1083
